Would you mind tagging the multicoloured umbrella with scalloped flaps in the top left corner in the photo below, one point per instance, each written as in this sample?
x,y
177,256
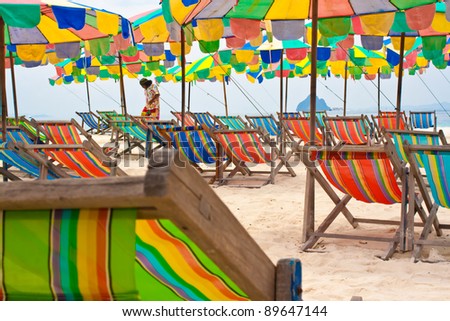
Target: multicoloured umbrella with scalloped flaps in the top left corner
x,y
28,27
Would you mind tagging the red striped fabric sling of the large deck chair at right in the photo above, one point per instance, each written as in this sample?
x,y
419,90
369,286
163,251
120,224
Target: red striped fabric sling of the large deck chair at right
x,y
367,177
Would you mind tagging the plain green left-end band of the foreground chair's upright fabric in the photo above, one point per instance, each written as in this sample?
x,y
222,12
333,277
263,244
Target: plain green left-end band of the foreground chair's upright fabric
x,y
26,266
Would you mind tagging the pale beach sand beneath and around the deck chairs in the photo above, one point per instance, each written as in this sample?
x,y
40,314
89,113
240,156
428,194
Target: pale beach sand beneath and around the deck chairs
x,y
337,269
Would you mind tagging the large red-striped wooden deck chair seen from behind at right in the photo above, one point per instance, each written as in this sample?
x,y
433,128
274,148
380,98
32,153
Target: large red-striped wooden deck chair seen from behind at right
x,y
371,174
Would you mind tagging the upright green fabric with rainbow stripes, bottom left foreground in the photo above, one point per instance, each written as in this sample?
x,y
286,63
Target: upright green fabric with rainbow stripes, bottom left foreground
x,y
76,254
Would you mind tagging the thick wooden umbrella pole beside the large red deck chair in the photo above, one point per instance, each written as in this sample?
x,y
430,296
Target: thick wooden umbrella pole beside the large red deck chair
x,y
308,216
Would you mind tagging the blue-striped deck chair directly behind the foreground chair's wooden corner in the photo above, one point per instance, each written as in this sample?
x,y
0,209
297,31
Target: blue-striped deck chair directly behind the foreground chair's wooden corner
x,y
197,146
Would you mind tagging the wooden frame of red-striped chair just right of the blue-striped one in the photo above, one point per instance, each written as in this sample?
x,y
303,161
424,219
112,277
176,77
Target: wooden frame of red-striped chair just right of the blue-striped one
x,y
223,146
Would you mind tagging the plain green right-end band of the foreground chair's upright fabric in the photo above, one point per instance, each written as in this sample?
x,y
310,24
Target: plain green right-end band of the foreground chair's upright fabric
x,y
122,254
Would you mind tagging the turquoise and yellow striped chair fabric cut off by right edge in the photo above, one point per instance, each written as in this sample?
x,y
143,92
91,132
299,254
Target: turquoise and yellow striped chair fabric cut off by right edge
x,y
437,168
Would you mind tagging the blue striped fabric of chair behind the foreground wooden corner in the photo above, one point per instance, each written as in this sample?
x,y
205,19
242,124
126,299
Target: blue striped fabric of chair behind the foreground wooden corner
x,y
195,144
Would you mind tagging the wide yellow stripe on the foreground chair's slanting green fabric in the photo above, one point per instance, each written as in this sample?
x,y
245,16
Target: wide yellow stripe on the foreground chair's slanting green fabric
x,y
178,263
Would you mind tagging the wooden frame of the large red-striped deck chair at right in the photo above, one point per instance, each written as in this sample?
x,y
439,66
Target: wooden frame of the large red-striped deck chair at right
x,y
397,173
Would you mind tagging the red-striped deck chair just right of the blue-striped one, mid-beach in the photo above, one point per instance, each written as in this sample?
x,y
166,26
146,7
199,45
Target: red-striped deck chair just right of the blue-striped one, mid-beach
x,y
245,148
